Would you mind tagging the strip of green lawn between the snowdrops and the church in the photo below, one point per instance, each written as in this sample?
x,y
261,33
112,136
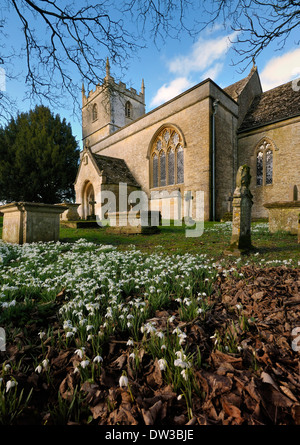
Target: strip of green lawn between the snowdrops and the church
x,y
214,240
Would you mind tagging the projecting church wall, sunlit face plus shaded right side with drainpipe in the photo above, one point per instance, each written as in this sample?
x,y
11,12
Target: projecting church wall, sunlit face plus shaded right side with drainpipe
x,y
191,114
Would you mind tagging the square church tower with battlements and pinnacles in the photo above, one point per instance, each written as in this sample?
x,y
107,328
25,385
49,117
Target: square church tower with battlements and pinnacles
x,y
109,107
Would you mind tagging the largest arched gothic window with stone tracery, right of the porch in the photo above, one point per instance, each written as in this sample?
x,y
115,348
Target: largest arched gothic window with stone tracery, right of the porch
x,y
167,159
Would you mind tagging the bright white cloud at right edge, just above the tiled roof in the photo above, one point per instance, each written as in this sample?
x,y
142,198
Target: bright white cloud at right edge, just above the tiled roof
x,y
281,69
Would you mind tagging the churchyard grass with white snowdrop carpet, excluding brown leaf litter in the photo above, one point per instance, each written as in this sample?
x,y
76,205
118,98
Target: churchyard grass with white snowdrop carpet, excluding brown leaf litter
x,y
97,286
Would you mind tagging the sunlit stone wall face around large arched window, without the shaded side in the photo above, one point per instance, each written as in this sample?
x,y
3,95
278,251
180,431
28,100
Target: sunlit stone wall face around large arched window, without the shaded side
x,y
190,113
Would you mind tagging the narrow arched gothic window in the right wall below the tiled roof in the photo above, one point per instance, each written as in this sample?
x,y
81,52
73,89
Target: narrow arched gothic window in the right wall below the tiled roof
x,y
264,164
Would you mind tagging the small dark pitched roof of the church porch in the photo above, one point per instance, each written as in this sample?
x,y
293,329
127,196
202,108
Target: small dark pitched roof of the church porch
x,y
115,170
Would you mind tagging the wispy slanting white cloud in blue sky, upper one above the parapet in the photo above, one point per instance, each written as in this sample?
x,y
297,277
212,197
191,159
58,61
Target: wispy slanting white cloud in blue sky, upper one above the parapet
x,y
203,54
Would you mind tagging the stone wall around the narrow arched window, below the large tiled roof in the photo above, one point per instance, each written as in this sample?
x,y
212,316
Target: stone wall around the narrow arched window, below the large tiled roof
x,y
284,138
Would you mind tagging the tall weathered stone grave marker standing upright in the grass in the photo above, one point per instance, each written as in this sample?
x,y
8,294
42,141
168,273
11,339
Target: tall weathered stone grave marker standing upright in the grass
x,y
241,212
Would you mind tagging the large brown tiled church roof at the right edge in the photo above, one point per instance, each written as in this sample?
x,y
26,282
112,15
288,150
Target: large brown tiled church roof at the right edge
x,y
274,105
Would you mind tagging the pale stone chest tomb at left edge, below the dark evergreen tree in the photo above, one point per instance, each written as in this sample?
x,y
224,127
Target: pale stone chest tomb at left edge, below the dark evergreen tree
x,y
27,222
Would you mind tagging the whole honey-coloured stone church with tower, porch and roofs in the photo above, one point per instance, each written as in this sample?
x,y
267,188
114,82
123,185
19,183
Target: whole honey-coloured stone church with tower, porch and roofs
x,y
194,142
